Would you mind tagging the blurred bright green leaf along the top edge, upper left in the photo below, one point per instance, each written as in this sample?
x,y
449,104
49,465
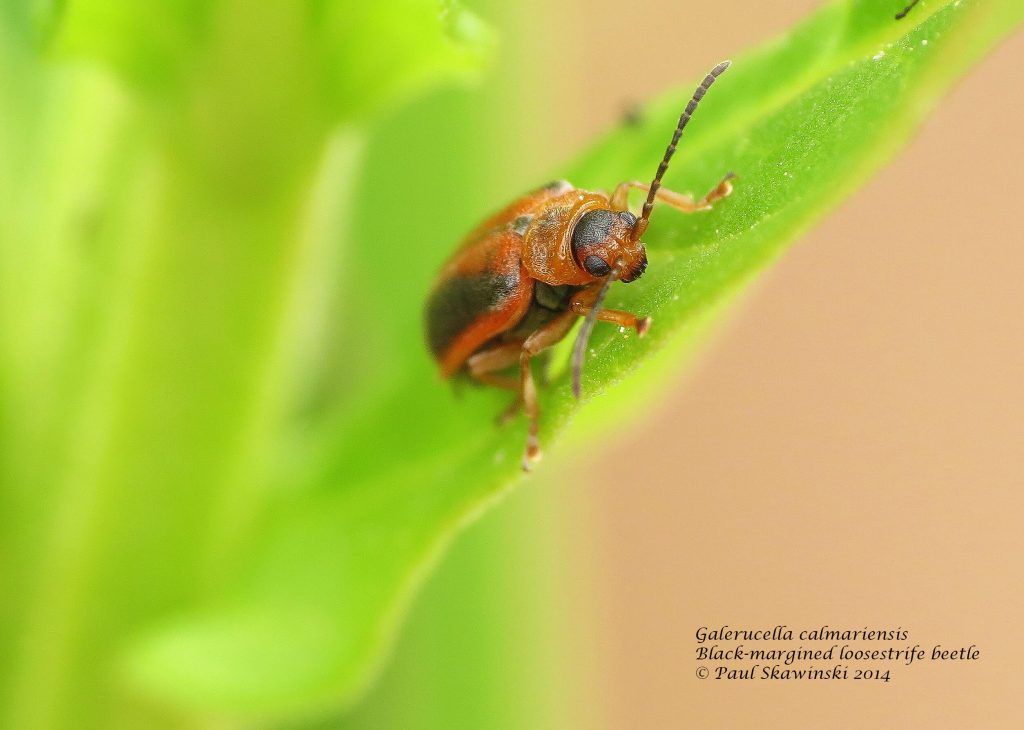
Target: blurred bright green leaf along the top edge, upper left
x,y
366,59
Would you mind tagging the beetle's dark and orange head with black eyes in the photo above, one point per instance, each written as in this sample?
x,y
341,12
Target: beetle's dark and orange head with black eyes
x,y
604,237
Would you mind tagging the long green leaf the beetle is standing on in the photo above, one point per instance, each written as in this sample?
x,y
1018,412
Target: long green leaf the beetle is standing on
x,y
395,474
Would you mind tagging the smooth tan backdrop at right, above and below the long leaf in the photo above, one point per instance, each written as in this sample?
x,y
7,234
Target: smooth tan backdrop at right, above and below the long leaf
x,y
849,451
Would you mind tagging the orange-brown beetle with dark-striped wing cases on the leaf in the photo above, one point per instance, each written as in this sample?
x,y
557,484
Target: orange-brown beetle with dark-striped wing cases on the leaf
x,y
522,279
